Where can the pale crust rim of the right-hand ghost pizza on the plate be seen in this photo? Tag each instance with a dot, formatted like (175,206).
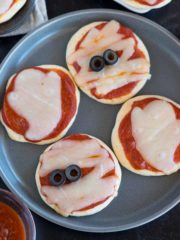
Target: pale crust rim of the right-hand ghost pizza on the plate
(116,143)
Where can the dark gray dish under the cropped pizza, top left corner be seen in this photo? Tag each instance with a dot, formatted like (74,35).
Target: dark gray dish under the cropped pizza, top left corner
(18,19)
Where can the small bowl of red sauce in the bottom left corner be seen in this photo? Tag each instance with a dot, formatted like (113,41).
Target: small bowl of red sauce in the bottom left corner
(16,221)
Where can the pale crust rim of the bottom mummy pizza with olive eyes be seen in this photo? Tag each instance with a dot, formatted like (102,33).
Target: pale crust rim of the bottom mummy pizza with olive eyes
(95,209)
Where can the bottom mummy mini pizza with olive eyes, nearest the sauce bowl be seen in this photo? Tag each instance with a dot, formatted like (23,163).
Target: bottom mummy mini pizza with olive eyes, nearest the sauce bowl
(78,175)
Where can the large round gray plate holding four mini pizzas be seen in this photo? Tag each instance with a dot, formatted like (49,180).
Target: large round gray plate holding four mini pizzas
(141,199)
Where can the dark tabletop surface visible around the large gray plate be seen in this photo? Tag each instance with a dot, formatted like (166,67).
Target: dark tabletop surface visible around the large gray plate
(166,227)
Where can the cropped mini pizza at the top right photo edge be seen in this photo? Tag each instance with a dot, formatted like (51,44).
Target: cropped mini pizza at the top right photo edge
(142,6)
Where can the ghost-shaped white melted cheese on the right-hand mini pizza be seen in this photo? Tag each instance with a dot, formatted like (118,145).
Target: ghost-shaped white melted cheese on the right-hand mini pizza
(157,134)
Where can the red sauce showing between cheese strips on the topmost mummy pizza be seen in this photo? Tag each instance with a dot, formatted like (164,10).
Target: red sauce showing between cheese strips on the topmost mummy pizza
(122,91)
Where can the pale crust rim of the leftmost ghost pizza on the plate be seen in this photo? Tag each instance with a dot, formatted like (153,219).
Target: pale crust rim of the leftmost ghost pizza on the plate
(20,138)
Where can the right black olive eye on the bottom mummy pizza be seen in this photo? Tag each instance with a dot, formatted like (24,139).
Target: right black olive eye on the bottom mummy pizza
(73,173)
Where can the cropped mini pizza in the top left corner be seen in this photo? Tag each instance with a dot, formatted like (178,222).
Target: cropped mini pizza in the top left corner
(8,8)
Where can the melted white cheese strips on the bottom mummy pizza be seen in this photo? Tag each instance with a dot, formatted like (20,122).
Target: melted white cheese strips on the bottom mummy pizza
(88,189)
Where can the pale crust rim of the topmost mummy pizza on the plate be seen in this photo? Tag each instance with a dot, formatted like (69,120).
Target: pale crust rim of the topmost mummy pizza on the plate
(71,48)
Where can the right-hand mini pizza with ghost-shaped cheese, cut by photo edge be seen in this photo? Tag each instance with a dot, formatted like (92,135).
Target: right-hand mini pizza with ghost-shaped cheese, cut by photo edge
(146,136)
